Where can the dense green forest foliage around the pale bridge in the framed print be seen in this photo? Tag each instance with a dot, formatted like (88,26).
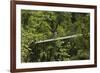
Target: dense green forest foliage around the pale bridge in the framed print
(43,25)
